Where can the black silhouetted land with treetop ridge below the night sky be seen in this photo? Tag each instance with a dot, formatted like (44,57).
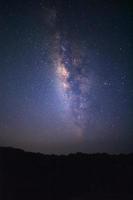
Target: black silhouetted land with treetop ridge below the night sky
(26,176)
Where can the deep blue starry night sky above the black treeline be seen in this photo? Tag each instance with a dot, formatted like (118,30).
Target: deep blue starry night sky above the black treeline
(66,76)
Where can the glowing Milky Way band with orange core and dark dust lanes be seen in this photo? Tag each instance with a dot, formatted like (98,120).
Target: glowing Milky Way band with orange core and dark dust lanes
(73,82)
